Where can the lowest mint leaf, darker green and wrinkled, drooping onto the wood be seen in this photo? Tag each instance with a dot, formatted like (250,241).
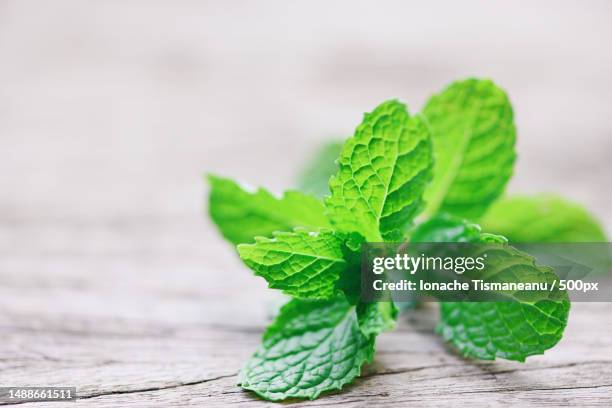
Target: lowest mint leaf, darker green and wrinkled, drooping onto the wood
(312,347)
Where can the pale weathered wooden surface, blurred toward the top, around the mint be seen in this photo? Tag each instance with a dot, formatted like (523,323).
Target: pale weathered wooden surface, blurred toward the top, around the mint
(111,278)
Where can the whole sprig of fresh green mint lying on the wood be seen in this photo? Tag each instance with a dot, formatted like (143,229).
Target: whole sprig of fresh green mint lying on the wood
(453,162)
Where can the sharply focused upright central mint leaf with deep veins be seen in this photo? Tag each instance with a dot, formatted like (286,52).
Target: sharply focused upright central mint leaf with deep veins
(383,170)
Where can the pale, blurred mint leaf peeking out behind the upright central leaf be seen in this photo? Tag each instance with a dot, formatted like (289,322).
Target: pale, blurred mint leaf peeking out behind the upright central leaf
(314,177)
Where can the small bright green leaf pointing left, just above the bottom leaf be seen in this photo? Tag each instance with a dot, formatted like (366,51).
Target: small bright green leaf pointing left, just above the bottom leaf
(302,263)
